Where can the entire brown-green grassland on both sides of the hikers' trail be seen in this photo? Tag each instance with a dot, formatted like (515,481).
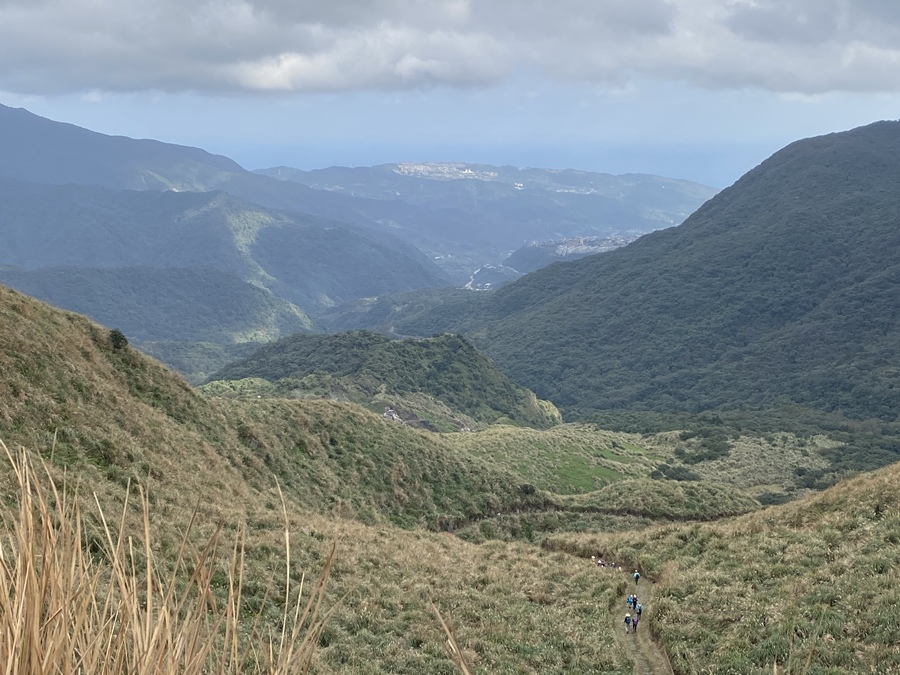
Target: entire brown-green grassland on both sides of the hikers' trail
(777,585)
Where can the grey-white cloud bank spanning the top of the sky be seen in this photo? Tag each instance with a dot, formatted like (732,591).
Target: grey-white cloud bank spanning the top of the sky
(228,46)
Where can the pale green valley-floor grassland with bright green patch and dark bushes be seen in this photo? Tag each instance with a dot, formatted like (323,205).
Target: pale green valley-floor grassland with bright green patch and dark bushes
(581,458)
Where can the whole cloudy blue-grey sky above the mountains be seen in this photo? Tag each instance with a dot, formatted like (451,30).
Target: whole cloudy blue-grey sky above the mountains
(696,89)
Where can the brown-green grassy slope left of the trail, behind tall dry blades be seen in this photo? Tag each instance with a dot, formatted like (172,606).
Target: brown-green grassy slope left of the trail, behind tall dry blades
(104,416)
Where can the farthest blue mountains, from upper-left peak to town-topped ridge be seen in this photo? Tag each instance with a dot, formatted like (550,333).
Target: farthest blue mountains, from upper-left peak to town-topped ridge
(430,212)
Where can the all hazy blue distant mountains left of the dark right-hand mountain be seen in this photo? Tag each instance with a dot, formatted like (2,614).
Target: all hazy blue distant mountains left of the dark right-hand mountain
(82,204)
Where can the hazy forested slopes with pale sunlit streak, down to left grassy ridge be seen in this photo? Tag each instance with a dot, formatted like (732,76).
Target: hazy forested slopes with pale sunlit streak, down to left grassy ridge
(183,267)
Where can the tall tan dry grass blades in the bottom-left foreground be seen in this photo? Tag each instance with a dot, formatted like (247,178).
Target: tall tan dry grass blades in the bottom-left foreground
(64,609)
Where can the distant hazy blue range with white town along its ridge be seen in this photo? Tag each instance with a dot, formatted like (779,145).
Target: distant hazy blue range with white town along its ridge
(475,214)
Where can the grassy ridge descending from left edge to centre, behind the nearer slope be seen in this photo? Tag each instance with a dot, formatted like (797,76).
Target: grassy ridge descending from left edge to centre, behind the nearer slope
(66,387)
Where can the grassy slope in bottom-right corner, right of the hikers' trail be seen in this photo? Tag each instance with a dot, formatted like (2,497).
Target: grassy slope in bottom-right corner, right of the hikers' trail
(810,584)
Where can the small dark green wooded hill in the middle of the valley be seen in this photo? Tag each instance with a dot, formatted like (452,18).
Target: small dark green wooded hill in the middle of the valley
(442,381)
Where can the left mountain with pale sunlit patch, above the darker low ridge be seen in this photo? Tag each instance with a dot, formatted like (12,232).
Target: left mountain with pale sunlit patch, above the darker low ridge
(304,259)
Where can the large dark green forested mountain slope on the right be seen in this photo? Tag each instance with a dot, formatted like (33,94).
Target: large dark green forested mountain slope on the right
(782,287)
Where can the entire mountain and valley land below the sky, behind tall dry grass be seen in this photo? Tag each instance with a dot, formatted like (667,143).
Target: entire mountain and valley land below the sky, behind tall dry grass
(712,404)
